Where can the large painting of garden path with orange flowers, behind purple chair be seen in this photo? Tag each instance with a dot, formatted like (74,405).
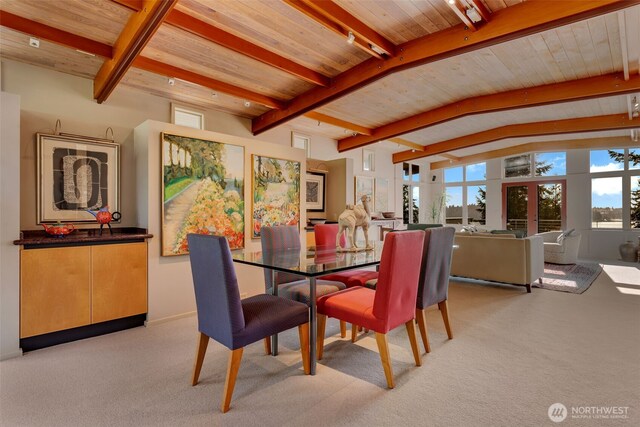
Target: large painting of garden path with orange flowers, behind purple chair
(202,191)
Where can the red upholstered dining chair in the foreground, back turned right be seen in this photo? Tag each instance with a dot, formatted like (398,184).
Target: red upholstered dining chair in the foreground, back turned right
(390,305)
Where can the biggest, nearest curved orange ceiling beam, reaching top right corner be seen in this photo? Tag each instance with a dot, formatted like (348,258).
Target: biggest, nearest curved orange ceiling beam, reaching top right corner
(513,22)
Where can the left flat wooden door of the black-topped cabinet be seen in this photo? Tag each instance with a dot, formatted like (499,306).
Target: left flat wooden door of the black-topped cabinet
(55,292)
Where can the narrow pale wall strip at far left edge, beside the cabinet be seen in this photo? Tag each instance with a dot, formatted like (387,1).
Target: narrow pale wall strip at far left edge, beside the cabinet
(9,225)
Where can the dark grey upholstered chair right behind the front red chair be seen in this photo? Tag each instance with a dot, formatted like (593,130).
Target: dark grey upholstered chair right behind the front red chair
(433,286)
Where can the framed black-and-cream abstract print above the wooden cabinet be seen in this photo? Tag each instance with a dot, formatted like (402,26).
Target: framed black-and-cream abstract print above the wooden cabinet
(76,174)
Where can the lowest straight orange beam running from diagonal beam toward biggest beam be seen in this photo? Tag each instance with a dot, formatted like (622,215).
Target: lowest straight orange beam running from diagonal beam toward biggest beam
(158,67)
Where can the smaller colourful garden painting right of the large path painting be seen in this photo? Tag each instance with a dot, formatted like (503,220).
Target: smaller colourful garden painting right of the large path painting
(276,192)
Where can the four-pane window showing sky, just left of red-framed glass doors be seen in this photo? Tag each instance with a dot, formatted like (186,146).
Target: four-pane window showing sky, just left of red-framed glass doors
(465,194)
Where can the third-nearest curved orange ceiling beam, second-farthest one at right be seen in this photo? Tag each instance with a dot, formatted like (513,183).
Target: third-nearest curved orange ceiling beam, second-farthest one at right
(553,127)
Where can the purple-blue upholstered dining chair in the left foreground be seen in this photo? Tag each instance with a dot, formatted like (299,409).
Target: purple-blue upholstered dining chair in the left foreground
(233,322)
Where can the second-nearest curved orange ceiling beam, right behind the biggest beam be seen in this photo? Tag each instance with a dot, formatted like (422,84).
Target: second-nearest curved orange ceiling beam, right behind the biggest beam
(592,87)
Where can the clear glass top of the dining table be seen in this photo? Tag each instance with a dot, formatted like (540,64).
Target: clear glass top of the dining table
(310,262)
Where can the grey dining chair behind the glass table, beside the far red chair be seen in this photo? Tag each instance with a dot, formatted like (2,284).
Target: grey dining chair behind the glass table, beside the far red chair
(274,240)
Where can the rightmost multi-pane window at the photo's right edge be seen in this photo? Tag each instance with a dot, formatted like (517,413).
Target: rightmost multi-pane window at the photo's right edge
(615,188)
